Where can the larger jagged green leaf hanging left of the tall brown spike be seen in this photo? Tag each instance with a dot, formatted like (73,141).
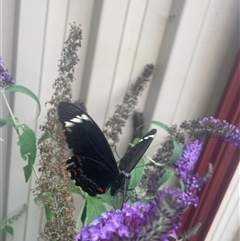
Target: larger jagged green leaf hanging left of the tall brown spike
(27,143)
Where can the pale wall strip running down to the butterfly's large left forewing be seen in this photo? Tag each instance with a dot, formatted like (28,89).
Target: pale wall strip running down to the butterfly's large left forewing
(106,51)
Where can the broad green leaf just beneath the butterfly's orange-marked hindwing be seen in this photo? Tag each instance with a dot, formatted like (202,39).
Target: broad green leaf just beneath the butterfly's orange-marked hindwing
(94,208)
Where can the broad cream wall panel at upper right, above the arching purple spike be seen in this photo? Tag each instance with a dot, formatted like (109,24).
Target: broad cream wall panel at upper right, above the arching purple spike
(192,74)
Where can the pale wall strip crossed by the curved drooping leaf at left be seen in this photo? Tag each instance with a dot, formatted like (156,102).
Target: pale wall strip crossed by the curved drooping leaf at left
(30,29)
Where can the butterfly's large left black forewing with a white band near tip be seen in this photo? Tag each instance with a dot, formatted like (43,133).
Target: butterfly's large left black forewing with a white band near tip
(84,136)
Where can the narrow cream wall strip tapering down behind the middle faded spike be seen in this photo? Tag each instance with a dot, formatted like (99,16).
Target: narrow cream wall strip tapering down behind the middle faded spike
(128,47)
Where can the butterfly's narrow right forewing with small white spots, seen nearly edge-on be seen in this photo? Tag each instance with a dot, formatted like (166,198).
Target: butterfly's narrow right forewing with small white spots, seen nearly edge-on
(132,157)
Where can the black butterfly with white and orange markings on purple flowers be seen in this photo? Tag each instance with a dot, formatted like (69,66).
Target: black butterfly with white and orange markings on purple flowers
(93,166)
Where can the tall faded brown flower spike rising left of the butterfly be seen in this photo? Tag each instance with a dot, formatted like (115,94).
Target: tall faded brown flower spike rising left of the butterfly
(53,184)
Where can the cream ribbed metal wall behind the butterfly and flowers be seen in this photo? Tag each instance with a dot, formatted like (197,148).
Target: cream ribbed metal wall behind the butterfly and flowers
(193,45)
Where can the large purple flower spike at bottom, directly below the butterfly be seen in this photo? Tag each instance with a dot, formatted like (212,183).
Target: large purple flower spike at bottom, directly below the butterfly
(153,221)
